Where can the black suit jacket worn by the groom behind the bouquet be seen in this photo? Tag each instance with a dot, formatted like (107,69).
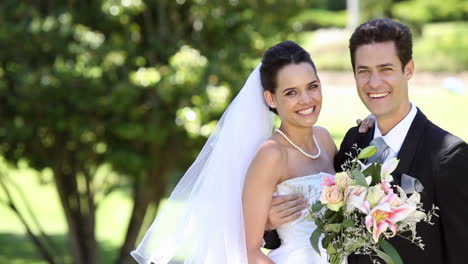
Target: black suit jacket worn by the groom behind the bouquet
(440,161)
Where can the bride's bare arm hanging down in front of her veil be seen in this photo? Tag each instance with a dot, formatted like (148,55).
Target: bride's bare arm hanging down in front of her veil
(262,177)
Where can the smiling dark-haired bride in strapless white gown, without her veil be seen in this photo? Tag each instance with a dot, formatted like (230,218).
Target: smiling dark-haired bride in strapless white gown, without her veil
(293,160)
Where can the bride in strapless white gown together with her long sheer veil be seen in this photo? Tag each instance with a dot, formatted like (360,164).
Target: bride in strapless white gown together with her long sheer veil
(218,211)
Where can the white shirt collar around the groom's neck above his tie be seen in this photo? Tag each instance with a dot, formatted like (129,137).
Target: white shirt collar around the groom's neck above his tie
(395,137)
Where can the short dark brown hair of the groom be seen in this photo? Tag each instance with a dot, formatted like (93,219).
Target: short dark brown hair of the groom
(383,30)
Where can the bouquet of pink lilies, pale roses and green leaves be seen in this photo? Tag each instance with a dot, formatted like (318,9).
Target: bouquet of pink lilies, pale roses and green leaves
(359,210)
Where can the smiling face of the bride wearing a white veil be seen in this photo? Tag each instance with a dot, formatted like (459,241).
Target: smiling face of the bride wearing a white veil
(298,95)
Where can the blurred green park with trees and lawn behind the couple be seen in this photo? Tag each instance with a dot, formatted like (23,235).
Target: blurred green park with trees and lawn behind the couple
(105,103)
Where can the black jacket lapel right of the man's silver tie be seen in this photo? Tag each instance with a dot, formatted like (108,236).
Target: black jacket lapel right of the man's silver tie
(408,149)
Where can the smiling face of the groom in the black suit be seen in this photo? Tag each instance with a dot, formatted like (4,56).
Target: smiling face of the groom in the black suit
(381,82)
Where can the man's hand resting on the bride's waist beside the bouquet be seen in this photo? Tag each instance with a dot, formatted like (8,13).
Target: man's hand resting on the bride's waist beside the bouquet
(284,209)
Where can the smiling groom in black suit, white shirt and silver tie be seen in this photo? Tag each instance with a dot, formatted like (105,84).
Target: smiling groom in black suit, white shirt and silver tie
(381,56)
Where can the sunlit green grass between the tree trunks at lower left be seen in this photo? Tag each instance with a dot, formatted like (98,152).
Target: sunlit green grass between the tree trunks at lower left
(112,218)
